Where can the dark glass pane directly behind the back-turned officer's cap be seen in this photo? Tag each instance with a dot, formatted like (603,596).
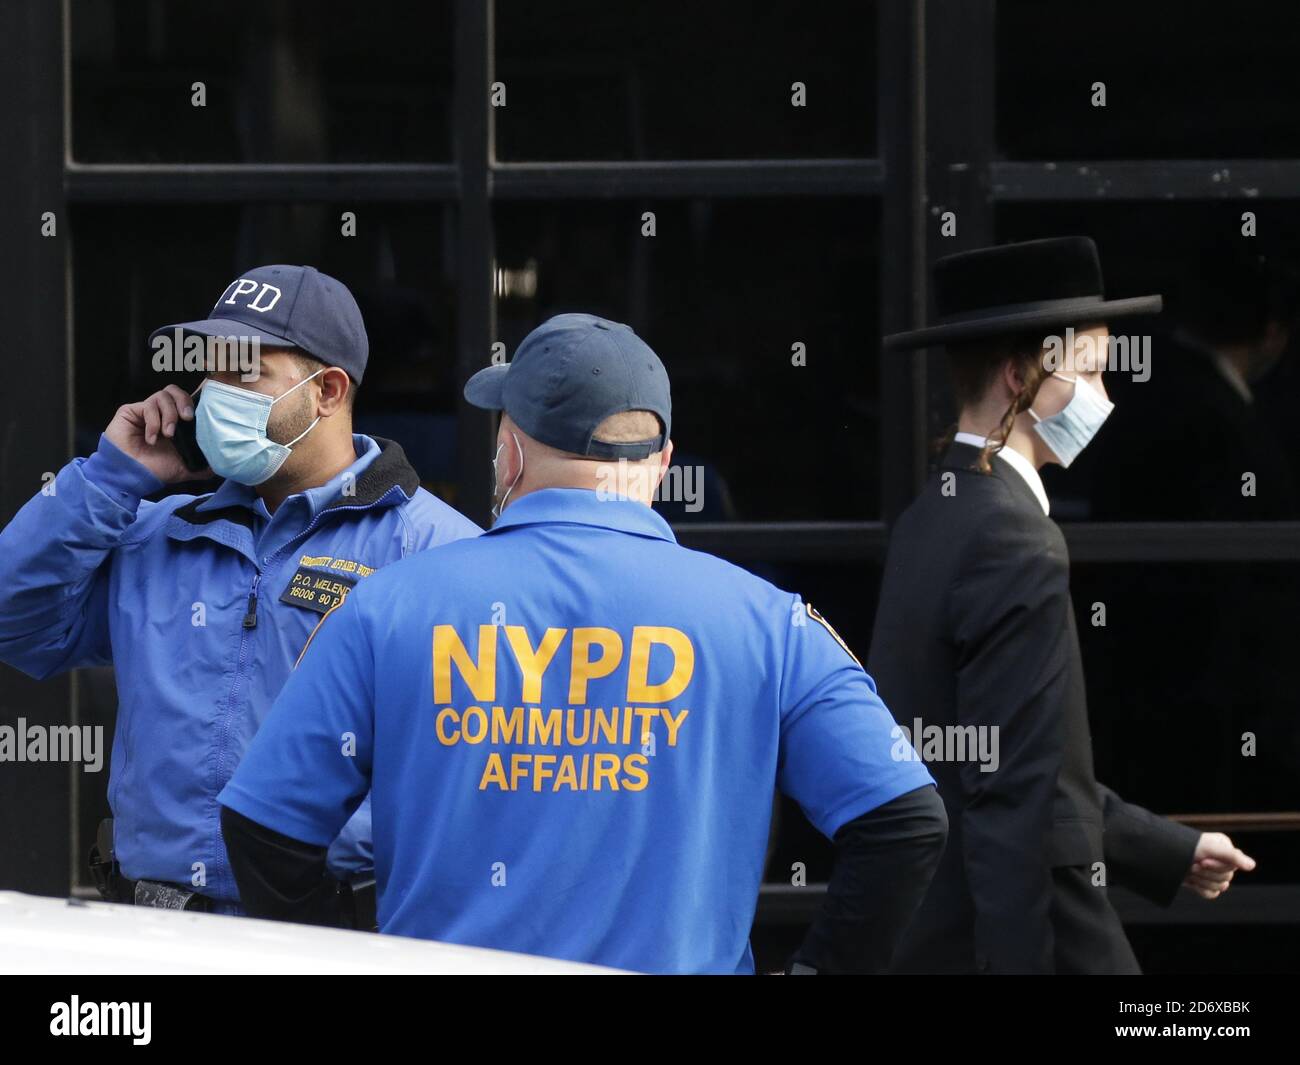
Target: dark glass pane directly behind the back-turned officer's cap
(765,314)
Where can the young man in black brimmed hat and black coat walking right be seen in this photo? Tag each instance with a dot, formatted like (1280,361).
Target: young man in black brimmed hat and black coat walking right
(976,631)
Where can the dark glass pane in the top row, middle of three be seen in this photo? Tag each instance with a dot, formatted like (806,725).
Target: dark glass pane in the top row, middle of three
(587,80)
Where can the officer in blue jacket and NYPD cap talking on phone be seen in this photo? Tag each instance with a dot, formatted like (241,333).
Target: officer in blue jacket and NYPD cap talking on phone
(203,604)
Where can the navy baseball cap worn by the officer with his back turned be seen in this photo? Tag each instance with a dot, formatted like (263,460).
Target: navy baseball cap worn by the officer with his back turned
(571,374)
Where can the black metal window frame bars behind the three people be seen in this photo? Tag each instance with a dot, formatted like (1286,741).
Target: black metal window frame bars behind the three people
(937,149)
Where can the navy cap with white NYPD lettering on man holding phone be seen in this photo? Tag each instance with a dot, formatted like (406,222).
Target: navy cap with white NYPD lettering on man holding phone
(289,308)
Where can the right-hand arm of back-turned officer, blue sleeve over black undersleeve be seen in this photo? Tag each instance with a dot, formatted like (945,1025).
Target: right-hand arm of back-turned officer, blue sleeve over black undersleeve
(846,763)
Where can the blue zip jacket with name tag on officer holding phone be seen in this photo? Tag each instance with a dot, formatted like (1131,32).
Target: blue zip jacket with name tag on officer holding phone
(203,605)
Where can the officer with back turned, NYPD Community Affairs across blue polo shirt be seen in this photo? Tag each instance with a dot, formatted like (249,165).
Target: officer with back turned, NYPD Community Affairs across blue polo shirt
(573,726)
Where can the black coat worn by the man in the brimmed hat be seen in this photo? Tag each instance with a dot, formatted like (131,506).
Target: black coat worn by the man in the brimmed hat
(976,627)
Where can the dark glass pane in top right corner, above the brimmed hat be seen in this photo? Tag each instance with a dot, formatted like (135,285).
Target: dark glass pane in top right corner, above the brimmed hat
(1182,80)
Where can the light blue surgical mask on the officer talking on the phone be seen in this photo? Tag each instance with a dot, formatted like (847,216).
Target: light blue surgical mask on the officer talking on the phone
(231,426)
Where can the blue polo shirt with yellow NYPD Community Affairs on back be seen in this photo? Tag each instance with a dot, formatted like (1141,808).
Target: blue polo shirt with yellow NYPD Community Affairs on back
(571,728)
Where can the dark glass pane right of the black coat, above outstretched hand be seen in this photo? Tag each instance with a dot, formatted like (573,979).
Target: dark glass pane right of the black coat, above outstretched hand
(1191,687)
